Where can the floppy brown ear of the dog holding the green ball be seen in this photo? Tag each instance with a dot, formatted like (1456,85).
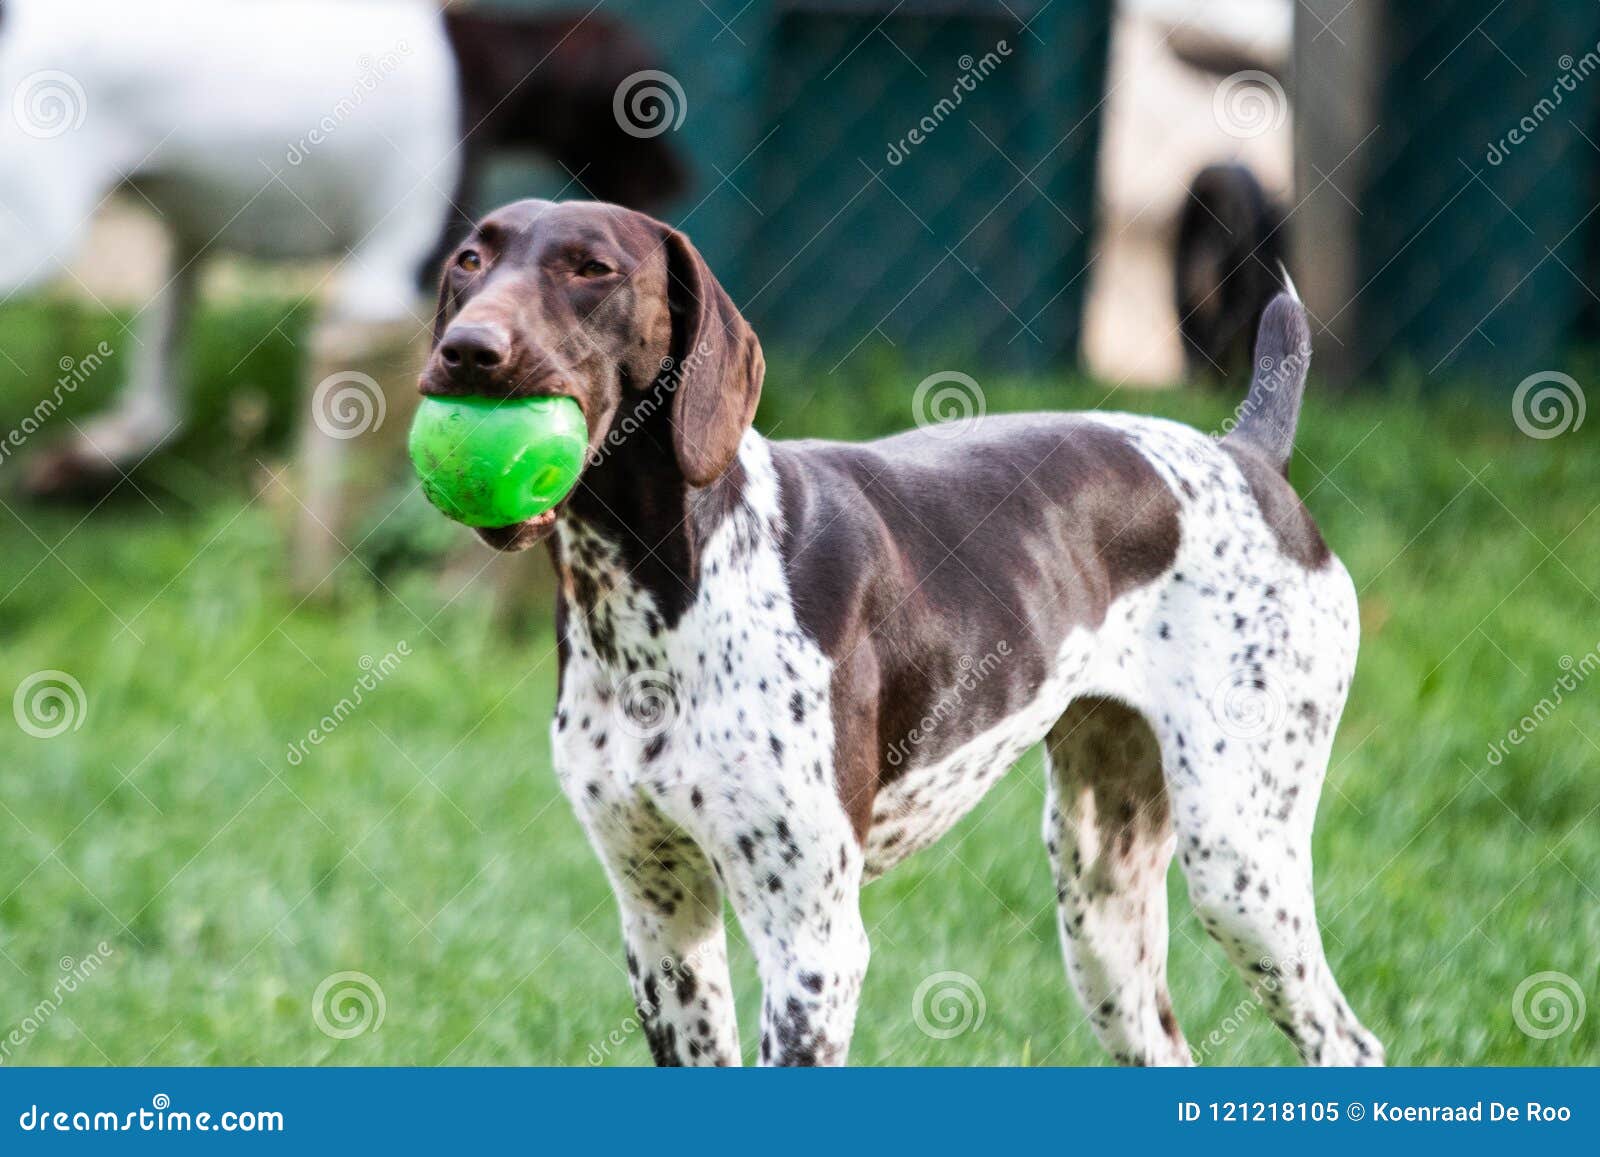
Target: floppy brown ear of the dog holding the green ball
(718,367)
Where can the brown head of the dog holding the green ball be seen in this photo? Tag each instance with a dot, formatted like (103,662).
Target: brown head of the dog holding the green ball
(612,310)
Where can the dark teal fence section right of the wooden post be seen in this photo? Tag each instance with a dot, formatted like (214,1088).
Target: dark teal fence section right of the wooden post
(1476,188)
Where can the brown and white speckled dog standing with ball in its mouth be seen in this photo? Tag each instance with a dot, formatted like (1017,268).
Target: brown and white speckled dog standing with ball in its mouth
(770,678)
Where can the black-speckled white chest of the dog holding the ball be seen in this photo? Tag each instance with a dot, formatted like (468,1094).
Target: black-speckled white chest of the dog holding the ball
(721,708)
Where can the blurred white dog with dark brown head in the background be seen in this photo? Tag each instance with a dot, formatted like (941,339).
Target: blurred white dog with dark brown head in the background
(287,129)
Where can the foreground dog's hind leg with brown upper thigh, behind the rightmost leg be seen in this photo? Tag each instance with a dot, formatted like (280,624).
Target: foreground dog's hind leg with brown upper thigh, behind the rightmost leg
(1111,841)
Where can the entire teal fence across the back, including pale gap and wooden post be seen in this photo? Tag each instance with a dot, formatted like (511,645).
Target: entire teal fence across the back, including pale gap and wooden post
(932,174)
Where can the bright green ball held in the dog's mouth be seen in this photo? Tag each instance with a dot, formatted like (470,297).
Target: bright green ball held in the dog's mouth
(498,462)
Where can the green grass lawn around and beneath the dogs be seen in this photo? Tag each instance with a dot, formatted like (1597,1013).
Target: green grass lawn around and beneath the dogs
(426,846)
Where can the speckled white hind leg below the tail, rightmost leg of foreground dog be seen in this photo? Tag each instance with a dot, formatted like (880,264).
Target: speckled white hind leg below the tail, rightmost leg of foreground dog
(1247,748)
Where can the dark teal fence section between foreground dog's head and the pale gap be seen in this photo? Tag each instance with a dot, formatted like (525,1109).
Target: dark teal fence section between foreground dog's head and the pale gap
(878,174)
